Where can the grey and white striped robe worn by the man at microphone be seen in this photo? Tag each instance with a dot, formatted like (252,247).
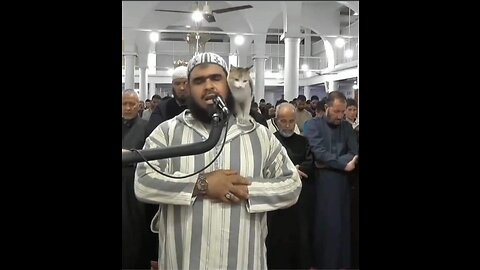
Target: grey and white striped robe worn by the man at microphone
(198,233)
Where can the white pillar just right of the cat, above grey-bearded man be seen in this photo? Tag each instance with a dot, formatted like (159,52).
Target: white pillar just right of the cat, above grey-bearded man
(292,61)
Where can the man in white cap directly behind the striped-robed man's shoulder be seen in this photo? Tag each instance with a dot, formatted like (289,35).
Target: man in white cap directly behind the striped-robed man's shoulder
(171,107)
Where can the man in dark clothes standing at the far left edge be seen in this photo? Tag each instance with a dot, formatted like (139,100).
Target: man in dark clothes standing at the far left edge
(138,242)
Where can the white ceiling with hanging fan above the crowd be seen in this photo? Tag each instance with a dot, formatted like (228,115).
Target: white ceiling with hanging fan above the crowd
(323,17)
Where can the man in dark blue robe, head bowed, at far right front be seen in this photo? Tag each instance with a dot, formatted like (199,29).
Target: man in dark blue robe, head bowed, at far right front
(335,149)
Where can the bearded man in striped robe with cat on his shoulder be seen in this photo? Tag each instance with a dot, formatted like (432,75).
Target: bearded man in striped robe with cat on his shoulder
(215,219)
